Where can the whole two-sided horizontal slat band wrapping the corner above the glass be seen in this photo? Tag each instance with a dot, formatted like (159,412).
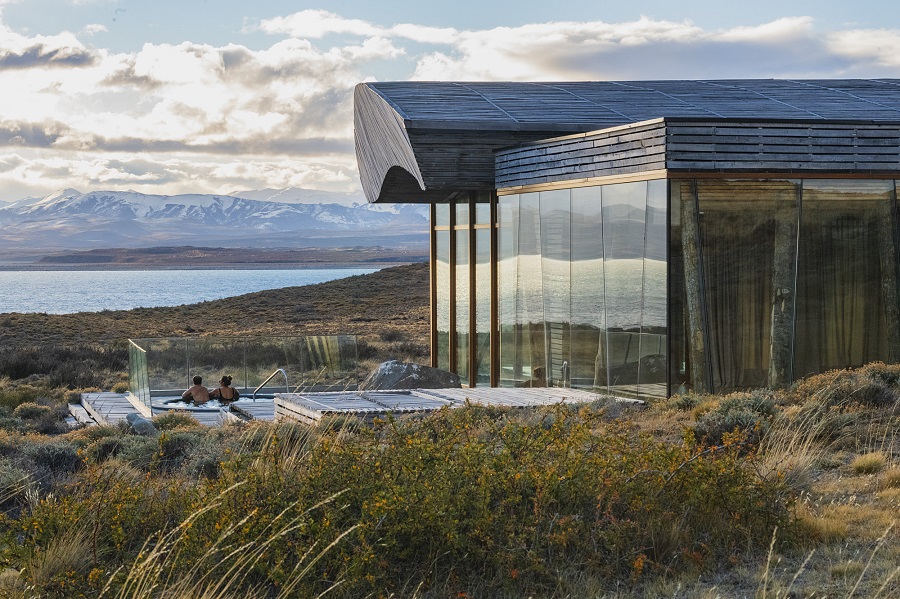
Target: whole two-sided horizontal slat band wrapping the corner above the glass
(720,146)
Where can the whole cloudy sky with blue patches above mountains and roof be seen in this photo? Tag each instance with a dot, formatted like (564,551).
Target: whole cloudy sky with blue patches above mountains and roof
(213,96)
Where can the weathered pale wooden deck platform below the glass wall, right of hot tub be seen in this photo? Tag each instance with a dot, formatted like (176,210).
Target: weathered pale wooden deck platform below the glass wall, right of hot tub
(312,407)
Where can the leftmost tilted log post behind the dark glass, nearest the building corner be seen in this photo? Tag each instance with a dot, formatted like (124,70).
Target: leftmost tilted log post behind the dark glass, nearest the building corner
(693,285)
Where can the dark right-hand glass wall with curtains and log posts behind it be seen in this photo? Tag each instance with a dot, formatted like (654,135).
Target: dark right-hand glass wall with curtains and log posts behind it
(774,280)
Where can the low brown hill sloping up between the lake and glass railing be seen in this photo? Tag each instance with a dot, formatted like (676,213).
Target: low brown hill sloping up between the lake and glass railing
(393,299)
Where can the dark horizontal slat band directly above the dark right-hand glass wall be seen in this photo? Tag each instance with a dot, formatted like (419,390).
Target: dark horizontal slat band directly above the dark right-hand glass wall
(782,147)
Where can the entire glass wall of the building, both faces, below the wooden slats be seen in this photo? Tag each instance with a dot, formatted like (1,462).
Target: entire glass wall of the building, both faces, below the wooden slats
(655,287)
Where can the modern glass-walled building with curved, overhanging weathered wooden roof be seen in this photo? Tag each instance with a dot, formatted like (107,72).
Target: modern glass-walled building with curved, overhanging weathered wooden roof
(648,237)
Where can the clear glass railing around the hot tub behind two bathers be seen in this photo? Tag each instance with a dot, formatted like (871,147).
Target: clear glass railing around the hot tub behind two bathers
(166,366)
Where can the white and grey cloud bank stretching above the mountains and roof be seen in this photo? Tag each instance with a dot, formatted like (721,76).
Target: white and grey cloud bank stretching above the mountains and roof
(174,118)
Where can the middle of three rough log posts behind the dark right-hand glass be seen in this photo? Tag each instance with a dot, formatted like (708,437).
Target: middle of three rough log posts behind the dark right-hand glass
(783,292)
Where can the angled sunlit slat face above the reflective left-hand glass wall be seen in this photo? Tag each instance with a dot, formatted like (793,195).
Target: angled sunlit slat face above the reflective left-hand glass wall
(623,150)
